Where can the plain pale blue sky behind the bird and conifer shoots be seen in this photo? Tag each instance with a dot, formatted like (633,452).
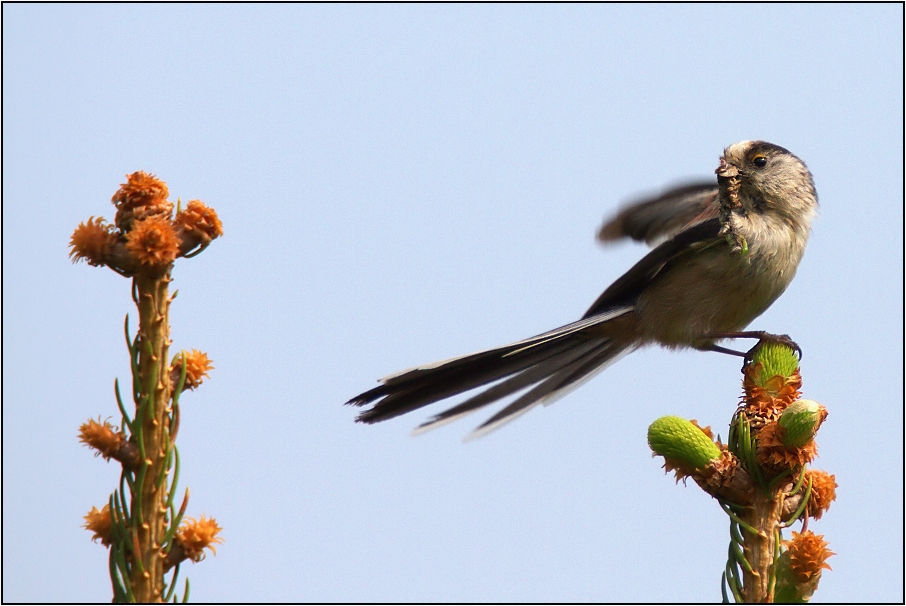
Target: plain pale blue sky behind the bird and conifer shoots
(400,184)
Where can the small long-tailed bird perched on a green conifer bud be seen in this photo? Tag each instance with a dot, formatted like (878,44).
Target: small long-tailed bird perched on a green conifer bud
(722,254)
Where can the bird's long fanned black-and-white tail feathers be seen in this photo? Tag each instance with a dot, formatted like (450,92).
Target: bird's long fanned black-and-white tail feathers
(548,365)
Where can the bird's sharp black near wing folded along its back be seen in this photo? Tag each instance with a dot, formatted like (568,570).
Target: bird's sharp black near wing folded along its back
(626,289)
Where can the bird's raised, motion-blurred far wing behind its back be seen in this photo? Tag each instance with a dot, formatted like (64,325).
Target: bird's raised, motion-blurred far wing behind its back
(653,220)
